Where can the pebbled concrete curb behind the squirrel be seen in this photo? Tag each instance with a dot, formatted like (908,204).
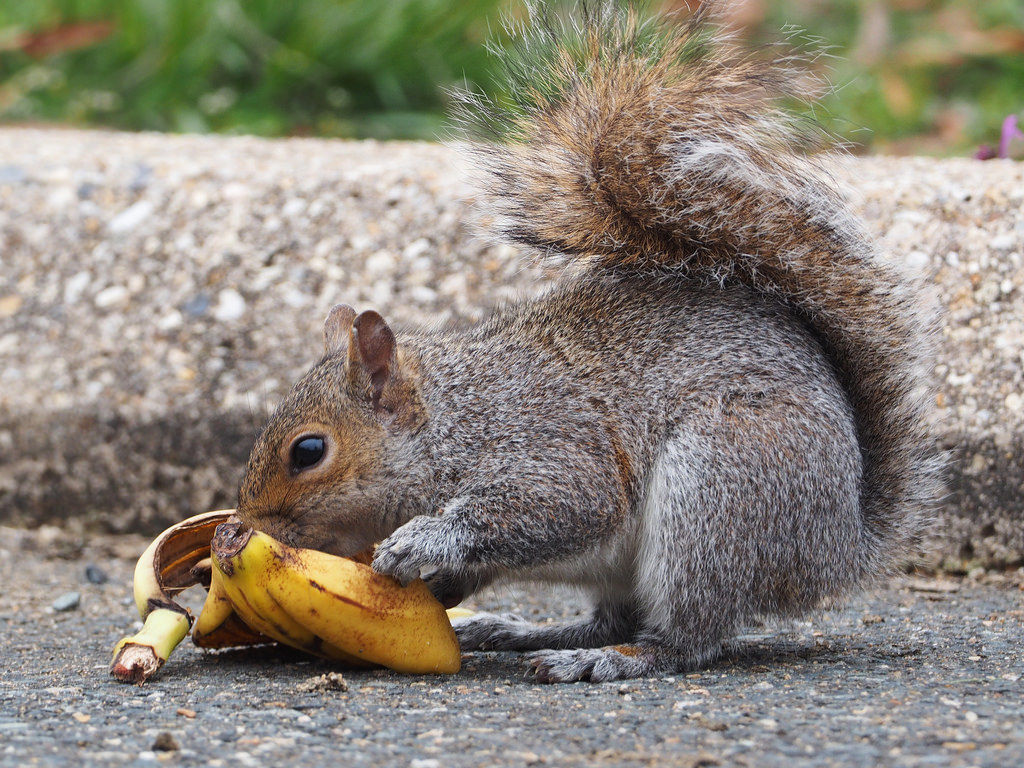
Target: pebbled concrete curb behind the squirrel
(158,294)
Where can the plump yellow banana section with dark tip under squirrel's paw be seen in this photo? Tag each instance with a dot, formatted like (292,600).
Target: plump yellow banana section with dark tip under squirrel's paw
(332,607)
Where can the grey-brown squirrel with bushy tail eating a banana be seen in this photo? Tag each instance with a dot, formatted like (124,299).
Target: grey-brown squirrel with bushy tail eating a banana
(716,415)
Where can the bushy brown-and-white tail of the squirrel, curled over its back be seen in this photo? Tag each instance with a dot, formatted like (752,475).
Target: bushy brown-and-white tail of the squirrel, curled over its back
(626,144)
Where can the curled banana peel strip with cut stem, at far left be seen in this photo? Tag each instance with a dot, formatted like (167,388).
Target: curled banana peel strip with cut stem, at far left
(164,570)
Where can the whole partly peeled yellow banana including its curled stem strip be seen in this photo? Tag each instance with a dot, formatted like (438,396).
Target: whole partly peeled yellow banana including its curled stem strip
(262,591)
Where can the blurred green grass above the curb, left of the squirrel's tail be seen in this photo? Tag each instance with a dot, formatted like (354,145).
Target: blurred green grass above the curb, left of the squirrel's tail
(336,68)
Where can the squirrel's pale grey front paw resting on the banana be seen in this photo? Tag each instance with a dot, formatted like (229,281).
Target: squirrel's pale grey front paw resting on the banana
(421,547)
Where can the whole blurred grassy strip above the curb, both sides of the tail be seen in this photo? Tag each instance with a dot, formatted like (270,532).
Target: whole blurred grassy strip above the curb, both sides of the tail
(912,76)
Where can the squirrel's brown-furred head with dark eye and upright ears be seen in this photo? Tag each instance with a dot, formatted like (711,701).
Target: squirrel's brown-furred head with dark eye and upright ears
(319,476)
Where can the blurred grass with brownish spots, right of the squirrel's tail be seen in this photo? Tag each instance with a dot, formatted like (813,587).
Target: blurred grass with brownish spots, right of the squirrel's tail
(913,76)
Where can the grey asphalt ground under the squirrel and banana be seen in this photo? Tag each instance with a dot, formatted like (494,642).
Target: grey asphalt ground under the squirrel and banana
(920,672)
